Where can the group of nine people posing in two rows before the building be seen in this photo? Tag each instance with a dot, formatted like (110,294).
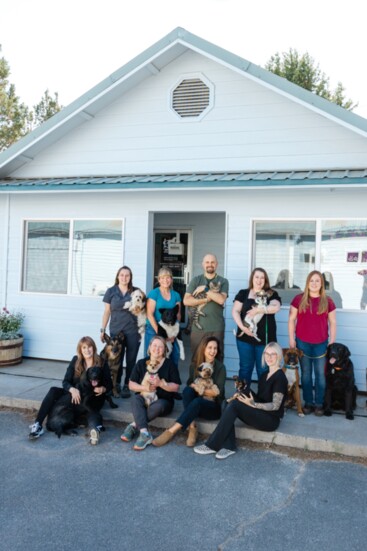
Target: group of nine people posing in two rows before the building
(312,326)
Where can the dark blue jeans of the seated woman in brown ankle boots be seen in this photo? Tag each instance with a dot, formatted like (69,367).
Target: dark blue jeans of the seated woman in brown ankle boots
(196,406)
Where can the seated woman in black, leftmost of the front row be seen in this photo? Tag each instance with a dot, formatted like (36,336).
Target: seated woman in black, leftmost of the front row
(86,357)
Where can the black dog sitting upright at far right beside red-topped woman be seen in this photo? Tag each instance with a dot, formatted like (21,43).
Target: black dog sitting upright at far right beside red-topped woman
(341,391)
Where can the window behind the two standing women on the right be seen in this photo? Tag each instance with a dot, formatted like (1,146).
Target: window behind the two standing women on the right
(289,250)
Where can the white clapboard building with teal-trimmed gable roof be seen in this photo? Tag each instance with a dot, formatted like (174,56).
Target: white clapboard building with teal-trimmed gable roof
(186,149)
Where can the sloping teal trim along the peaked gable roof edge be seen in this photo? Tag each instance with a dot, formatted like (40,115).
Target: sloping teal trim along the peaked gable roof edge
(189,40)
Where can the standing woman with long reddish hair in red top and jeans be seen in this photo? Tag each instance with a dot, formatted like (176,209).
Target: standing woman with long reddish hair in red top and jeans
(312,316)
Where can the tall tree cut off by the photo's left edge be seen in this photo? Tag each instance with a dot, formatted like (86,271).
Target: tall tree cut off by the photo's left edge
(14,115)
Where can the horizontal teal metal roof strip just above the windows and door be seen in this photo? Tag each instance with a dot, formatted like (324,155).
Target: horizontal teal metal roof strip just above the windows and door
(329,178)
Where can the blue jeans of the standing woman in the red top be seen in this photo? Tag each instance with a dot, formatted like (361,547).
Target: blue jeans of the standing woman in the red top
(313,363)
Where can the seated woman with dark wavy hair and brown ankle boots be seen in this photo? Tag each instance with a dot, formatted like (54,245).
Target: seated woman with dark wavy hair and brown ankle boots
(209,404)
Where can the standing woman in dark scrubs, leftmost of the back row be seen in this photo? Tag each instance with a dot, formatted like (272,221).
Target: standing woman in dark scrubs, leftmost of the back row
(121,319)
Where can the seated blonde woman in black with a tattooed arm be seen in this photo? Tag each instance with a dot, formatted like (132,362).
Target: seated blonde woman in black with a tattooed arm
(262,411)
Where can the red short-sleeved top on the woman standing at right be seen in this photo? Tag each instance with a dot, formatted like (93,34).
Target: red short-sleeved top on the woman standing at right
(312,327)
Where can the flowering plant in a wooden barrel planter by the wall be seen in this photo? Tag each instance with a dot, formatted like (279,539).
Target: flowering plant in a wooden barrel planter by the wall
(11,340)
